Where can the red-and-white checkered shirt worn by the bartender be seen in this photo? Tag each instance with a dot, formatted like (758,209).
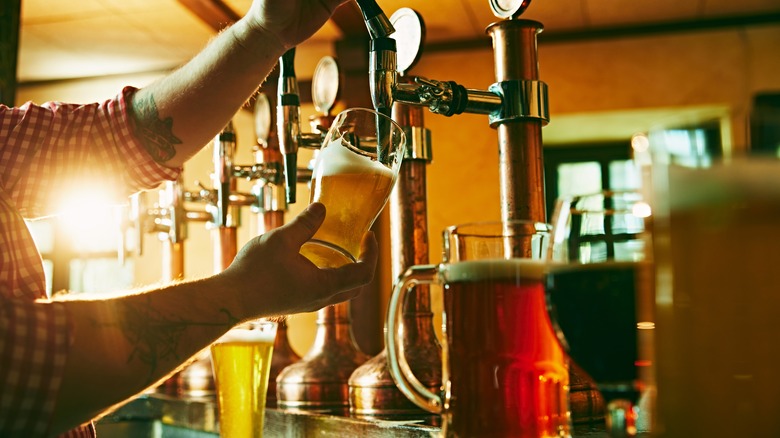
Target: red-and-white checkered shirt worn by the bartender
(44,150)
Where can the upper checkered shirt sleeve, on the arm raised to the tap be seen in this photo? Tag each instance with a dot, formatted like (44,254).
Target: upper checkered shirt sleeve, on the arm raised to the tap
(48,150)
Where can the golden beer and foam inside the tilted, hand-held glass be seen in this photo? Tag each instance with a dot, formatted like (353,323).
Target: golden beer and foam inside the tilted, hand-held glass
(354,188)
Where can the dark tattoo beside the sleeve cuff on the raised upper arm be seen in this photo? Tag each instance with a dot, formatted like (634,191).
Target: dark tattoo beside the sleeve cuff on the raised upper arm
(154,133)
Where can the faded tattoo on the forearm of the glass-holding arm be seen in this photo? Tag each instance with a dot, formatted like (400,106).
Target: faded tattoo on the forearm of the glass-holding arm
(155,337)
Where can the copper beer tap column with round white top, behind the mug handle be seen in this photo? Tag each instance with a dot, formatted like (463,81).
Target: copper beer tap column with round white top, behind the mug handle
(372,391)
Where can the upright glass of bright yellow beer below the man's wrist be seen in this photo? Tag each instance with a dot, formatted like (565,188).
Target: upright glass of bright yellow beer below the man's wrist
(242,364)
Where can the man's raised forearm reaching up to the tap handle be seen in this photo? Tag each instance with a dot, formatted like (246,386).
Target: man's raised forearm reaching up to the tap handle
(179,114)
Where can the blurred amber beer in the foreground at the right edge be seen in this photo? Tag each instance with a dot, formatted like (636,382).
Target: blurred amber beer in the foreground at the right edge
(717,301)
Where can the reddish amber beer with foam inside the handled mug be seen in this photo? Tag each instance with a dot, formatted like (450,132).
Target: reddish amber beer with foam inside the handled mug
(508,373)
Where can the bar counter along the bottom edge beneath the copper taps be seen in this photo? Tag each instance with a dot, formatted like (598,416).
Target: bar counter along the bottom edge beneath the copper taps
(164,416)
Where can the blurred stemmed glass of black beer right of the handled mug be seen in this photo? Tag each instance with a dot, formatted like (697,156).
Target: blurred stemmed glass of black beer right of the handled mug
(600,301)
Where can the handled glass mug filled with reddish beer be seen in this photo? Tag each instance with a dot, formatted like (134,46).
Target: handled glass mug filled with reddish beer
(504,373)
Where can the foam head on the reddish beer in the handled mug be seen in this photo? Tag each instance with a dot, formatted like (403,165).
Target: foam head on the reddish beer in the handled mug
(475,270)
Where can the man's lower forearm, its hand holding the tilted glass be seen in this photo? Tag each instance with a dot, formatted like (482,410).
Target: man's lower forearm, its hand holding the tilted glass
(124,345)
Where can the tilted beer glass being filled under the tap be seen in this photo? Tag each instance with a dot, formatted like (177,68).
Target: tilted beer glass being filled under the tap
(354,173)
